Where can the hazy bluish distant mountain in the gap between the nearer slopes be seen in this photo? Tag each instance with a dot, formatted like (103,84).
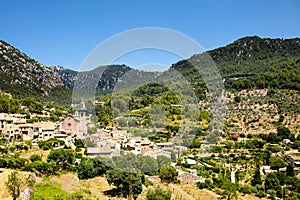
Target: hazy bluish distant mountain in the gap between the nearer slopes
(103,80)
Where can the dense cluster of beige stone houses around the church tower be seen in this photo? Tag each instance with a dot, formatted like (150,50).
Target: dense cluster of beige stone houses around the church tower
(105,142)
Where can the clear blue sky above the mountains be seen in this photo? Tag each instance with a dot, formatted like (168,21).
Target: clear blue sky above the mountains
(63,32)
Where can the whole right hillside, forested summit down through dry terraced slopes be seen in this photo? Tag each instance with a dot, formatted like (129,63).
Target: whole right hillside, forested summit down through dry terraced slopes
(261,78)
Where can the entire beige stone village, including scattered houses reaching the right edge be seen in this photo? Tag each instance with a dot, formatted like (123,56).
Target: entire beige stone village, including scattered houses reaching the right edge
(113,142)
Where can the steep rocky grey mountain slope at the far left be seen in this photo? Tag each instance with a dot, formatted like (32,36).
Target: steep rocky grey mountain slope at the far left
(23,76)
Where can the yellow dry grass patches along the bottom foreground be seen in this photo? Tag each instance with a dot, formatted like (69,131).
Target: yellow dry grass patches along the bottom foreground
(95,188)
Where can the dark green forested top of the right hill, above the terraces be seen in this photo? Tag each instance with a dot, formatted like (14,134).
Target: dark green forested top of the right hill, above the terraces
(252,62)
